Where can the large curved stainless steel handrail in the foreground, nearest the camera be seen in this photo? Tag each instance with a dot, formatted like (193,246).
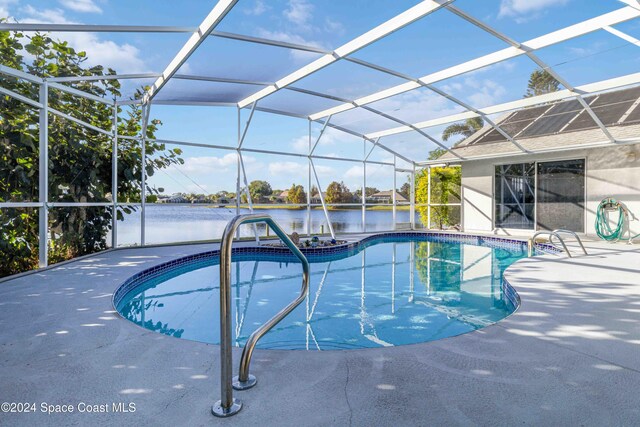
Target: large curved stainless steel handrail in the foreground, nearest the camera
(227,405)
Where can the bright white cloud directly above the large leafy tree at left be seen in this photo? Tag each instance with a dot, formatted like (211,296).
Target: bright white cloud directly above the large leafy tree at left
(124,58)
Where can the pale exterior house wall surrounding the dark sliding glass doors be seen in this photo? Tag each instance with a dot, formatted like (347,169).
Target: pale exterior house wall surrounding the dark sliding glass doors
(610,172)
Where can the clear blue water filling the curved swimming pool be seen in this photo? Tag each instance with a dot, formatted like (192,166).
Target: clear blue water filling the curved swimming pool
(392,291)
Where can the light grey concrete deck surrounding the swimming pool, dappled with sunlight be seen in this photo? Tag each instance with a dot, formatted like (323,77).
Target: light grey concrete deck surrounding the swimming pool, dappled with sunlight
(569,355)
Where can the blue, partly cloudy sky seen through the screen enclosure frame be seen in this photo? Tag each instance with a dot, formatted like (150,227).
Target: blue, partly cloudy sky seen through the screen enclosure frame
(432,43)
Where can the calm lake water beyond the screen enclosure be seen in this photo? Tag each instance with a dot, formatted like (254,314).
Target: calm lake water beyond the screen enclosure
(179,223)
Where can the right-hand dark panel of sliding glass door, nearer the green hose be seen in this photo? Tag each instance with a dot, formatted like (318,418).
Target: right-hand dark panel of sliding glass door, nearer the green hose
(560,195)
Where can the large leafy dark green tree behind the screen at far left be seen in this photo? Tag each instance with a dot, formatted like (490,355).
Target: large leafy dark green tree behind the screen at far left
(80,159)
